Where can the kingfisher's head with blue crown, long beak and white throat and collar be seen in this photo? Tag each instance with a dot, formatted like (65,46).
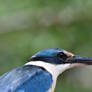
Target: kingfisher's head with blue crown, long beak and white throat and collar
(57,60)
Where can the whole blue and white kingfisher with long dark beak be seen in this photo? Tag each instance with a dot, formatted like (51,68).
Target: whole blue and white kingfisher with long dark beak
(40,72)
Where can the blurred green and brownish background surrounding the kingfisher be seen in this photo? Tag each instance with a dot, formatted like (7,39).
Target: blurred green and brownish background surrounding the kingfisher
(27,26)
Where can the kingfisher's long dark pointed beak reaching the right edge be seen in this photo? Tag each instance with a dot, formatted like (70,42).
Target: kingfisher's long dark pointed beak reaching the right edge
(79,59)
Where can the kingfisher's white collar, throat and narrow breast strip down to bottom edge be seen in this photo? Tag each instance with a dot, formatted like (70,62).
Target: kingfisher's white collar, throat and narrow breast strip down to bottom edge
(55,70)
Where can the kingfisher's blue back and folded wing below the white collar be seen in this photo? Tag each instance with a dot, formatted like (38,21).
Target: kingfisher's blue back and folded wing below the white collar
(26,79)
